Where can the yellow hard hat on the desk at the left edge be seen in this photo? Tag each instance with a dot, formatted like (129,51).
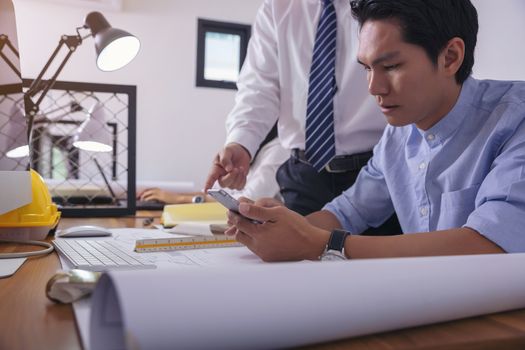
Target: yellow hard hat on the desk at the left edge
(36,218)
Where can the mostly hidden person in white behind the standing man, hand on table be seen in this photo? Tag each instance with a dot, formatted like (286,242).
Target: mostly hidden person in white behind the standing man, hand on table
(260,181)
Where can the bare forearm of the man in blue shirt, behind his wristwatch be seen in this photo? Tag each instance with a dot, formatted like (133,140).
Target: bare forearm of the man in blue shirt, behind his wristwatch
(459,241)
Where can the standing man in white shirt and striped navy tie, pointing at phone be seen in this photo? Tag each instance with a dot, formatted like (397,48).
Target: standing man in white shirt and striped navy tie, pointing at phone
(301,70)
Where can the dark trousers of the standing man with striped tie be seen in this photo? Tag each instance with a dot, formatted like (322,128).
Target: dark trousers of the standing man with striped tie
(305,191)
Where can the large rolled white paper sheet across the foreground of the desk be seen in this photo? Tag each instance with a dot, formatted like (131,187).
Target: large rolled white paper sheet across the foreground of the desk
(283,305)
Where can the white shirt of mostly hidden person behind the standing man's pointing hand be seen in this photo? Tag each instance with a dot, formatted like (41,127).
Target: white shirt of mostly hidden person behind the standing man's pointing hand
(261,181)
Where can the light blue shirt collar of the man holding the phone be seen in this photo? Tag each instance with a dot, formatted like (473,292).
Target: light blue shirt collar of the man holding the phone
(443,129)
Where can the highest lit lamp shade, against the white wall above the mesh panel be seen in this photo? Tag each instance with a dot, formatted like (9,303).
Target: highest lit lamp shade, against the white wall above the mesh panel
(115,47)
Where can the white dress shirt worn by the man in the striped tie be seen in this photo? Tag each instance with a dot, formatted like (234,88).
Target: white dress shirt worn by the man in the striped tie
(273,83)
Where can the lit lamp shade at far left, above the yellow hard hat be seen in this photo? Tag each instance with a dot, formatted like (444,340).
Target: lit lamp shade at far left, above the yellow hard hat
(16,134)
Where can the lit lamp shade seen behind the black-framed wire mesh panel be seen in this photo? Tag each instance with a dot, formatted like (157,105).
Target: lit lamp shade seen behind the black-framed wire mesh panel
(94,134)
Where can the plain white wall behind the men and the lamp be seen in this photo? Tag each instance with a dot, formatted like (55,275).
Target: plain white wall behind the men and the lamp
(180,127)
